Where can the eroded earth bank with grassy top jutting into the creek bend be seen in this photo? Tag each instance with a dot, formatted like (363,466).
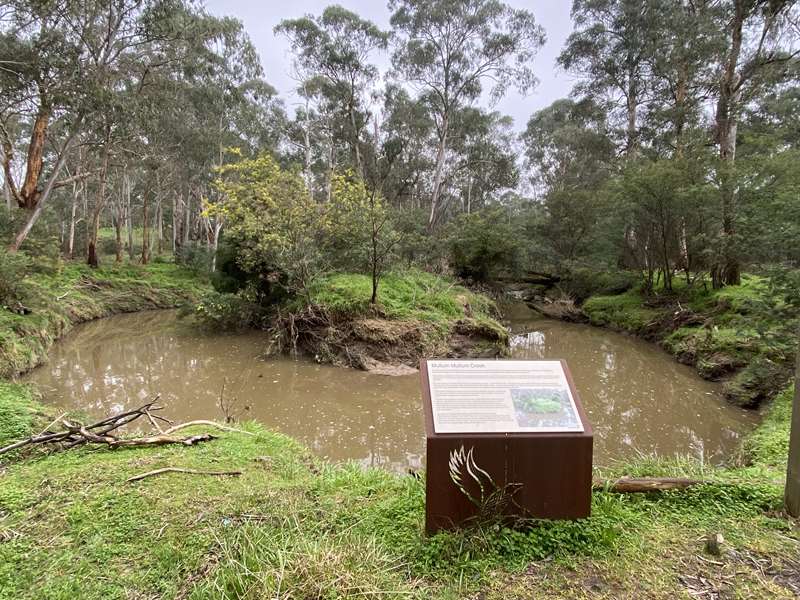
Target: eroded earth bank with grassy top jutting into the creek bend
(418,315)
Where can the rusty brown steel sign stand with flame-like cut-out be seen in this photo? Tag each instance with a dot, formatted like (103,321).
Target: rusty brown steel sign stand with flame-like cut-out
(545,475)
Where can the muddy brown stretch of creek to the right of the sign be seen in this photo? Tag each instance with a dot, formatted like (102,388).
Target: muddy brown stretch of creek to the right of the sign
(638,399)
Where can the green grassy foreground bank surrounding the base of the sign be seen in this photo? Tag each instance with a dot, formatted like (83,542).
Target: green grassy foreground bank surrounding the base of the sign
(293,527)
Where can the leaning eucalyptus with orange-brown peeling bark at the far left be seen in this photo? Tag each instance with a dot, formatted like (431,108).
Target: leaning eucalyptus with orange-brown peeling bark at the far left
(77,54)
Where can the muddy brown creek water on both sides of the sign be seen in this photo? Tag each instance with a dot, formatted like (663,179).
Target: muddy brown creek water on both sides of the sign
(638,399)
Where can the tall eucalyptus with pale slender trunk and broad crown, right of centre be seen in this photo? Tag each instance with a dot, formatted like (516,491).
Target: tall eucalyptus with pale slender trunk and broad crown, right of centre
(448,50)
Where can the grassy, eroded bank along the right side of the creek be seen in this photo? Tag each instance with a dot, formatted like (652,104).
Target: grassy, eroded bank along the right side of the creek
(728,334)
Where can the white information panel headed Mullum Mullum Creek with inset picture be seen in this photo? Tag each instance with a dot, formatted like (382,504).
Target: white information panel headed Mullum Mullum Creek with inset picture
(501,396)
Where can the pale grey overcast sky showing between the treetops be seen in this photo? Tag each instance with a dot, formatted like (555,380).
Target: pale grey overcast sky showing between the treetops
(261,16)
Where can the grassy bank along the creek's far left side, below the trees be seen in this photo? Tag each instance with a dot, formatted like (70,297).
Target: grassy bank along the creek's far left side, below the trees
(55,298)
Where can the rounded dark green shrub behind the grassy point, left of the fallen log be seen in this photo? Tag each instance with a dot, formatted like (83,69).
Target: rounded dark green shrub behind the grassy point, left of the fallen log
(485,243)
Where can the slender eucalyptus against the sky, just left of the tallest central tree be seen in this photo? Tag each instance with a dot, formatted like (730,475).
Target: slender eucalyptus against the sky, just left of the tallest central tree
(336,48)
